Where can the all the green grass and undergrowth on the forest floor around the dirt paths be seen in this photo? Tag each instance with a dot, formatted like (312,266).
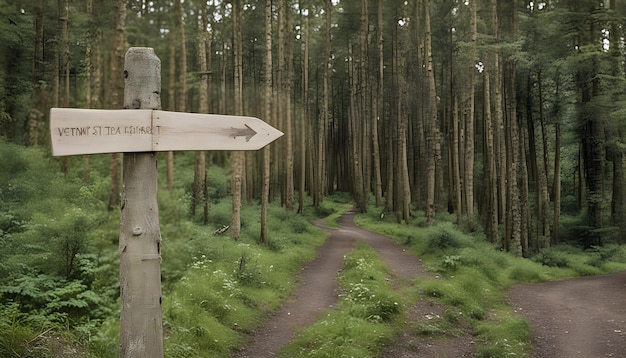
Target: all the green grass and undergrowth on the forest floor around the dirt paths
(215,289)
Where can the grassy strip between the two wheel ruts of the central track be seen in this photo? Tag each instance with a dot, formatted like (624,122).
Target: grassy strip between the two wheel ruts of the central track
(361,323)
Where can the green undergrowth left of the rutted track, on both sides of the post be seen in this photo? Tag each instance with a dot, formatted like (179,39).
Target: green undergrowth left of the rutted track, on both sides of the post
(59,266)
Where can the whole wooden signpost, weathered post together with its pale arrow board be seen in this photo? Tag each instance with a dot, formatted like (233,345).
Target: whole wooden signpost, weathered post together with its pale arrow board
(138,131)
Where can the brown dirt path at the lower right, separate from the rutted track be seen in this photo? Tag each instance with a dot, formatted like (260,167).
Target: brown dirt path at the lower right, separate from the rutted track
(585,317)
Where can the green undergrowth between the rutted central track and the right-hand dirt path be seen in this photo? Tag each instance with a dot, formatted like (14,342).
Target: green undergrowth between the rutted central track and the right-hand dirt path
(472,277)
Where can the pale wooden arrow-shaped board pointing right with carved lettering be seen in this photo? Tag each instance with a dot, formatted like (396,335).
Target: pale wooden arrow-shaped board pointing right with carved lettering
(91,131)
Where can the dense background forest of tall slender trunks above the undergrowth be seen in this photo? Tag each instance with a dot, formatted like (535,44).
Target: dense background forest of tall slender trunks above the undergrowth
(507,114)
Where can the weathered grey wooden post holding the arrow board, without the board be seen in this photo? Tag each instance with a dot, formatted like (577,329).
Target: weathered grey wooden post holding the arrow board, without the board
(141,321)
